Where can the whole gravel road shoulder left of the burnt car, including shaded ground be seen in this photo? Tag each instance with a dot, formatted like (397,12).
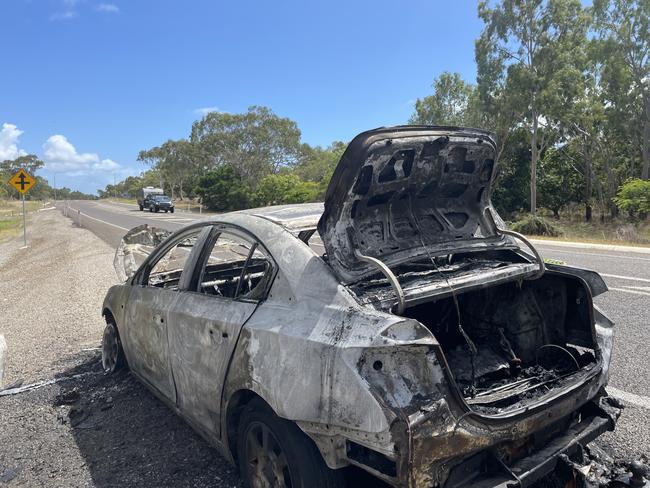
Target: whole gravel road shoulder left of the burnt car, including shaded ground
(91,430)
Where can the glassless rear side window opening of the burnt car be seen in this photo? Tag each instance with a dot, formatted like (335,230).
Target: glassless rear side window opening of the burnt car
(236,268)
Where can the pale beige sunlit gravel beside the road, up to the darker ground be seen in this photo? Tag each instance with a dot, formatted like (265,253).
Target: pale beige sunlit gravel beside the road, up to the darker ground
(51,295)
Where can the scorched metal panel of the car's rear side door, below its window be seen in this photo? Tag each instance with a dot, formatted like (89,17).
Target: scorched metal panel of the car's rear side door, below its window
(203,331)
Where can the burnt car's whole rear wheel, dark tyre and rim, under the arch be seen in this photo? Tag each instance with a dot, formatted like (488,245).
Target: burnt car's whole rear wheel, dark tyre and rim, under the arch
(274,452)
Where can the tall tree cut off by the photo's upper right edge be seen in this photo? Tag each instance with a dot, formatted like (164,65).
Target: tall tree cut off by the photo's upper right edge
(624,28)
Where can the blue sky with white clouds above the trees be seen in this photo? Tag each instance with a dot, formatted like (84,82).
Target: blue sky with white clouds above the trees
(86,84)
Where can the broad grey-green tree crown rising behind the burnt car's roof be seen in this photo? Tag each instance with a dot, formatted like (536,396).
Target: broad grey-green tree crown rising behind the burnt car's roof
(254,144)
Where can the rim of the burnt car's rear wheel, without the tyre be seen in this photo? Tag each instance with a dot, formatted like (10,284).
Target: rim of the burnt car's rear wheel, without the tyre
(265,458)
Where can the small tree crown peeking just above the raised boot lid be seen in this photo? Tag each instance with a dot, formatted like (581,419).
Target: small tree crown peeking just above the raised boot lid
(453,103)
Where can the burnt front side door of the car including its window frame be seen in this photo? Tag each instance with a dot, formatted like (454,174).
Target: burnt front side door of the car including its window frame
(164,385)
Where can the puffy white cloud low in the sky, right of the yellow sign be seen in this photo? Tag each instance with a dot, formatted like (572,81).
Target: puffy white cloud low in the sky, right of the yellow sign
(60,155)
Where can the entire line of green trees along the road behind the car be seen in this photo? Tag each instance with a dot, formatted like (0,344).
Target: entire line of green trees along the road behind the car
(565,88)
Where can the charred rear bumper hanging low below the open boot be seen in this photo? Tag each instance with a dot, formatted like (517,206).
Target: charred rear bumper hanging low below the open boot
(488,469)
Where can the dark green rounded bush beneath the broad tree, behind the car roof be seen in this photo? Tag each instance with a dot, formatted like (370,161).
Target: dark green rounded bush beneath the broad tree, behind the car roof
(223,189)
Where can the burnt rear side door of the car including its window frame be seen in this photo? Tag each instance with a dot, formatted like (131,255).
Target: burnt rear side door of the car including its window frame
(208,330)
